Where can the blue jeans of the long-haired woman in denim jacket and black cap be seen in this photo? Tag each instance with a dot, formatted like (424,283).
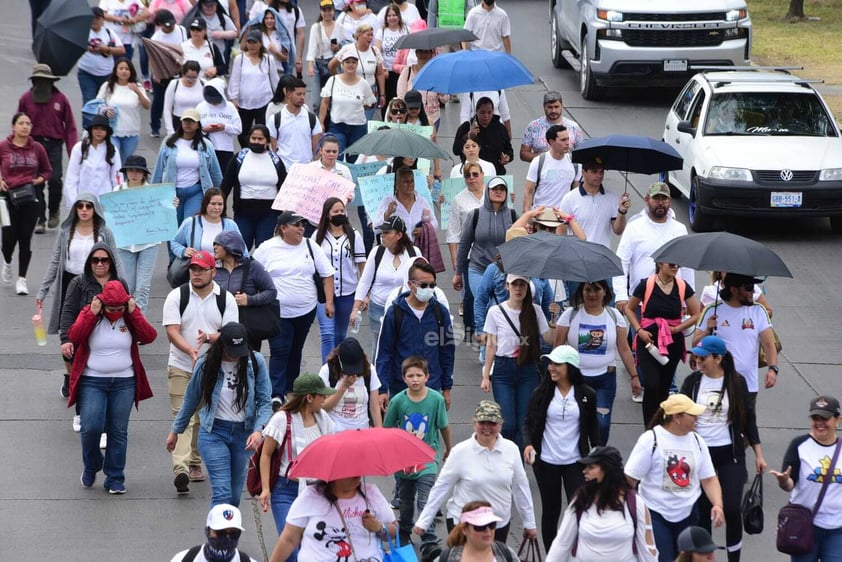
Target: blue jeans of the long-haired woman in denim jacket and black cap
(225,456)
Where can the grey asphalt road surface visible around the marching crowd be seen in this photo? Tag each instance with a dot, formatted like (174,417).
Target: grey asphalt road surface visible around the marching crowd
(49,516)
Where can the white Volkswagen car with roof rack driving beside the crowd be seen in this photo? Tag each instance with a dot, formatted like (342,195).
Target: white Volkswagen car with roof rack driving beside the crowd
(755,143)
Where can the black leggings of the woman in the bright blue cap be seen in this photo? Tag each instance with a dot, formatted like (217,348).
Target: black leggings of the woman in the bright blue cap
(732,478)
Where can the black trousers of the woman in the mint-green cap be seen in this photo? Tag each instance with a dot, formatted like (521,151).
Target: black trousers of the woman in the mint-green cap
(550,478)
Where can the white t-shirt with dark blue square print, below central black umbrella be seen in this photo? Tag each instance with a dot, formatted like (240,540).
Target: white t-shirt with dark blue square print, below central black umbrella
(595,337)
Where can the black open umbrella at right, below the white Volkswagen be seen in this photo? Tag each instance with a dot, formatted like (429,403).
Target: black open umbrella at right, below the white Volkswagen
(722,251)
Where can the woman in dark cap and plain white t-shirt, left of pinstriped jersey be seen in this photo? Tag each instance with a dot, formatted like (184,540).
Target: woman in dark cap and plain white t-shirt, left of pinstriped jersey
(295,265)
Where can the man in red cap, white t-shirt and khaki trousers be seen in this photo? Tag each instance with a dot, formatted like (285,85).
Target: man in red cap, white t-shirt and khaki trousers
(191,328)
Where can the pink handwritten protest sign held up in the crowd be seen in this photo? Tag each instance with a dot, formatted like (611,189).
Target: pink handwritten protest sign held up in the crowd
(306,188)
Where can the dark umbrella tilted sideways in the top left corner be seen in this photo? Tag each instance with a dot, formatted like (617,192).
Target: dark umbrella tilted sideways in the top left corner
(61,34)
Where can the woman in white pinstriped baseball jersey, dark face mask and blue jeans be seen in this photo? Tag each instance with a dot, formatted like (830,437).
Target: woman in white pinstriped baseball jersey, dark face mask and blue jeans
(343,245)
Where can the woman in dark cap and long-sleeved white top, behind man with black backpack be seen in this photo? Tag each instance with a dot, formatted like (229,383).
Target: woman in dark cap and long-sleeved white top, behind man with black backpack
(254,77)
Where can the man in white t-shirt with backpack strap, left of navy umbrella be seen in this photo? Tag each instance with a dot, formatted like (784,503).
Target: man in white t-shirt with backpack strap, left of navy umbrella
(550,177)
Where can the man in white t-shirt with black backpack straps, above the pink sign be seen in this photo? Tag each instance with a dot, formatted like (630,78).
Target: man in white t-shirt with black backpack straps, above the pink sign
(299,133)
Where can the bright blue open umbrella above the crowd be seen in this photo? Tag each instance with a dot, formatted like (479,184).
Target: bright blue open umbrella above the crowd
(471,71)
